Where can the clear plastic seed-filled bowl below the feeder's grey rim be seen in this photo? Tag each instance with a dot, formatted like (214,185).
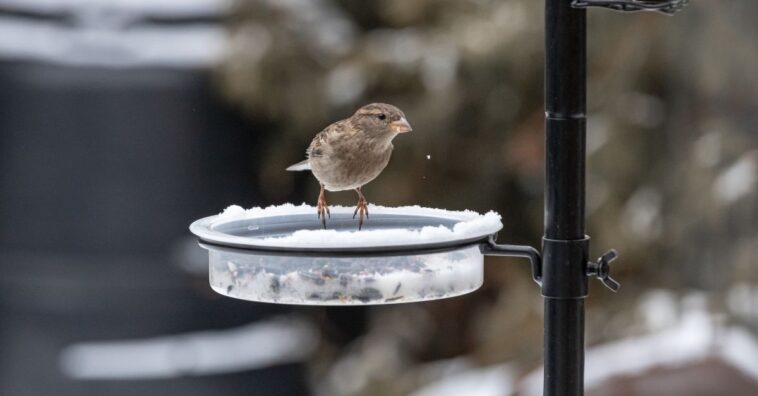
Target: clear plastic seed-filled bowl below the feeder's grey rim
(340,280)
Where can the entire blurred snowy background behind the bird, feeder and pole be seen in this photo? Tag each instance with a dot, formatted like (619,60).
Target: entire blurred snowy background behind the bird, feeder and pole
(123,121)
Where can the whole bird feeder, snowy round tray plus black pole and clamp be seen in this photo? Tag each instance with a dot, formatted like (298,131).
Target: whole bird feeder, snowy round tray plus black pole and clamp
(266,257)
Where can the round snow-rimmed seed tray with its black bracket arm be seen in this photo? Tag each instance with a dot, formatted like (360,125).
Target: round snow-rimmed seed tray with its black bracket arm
(281,255)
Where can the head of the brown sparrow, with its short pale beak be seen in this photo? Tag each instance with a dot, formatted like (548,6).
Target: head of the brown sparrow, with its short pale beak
(381,120)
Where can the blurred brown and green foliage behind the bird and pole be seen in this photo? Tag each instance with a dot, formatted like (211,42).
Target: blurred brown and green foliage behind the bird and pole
(672,151)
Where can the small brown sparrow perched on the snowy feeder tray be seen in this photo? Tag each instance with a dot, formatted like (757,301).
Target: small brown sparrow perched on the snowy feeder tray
(350,153)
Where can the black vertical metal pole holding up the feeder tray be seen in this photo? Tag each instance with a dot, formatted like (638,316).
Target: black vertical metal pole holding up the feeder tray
(564,281)
